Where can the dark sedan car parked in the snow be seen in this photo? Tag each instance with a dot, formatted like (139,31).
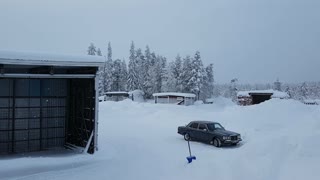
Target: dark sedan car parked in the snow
(211,132)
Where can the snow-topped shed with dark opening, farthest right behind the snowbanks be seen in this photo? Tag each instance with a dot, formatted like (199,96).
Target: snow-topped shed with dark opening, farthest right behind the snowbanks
(259,96)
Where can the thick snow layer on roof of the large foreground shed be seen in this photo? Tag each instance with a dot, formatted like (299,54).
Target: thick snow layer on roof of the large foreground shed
(40,58)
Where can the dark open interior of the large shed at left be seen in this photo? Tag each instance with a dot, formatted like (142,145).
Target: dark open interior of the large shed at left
(42,114)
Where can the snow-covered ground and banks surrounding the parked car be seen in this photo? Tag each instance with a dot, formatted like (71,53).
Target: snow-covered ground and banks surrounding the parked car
(139,141)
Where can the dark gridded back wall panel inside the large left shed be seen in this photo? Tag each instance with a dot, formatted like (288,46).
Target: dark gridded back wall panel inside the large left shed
(32,114)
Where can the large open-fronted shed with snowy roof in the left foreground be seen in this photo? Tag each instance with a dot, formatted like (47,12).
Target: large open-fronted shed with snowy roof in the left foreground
(48,101)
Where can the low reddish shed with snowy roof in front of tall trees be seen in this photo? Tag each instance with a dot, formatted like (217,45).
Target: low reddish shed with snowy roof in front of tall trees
(174,98)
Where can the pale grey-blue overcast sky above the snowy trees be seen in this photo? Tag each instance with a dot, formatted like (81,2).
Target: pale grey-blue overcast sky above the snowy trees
(252,40)
